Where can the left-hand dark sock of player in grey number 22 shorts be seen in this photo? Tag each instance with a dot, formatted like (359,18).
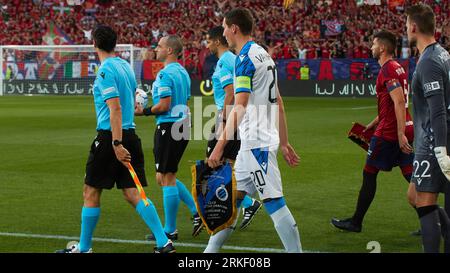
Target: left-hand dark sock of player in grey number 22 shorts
(430,225)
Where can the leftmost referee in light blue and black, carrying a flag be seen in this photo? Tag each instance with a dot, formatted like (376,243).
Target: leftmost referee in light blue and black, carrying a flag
(115,146)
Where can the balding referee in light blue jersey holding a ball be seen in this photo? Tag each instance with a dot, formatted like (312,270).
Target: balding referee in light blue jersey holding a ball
(170,93)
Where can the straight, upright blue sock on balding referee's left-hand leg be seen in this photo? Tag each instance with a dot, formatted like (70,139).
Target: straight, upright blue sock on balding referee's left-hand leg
(171,202)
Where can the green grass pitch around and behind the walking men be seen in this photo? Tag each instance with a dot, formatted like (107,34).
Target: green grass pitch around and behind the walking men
(45,141)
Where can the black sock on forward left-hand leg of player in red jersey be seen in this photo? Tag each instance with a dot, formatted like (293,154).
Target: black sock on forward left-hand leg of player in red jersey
(366,195)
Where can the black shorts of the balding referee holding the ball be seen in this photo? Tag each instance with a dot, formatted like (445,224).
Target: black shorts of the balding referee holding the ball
(170,141)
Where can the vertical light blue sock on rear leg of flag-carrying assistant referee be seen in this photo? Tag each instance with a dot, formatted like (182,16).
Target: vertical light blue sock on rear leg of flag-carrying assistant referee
(89,219)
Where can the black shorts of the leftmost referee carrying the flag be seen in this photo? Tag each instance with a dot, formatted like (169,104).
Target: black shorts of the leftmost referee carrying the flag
(103,170)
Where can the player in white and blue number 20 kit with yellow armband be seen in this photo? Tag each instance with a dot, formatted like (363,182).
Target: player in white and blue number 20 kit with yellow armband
(257,111)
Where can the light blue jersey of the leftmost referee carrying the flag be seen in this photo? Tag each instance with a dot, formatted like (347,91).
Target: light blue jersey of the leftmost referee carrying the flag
(115,79)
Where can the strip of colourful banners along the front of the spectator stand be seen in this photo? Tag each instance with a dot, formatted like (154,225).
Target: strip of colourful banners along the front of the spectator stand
(319,69)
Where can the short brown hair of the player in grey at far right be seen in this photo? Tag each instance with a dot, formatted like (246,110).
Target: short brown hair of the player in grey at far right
(424,18)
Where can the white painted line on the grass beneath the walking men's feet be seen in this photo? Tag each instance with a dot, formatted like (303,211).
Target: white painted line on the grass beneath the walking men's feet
(142,242)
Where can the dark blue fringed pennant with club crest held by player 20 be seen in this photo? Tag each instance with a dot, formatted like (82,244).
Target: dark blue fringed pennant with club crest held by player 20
(214,192)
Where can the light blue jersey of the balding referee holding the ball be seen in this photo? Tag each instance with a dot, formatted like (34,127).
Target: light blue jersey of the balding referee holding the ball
(172,81)
